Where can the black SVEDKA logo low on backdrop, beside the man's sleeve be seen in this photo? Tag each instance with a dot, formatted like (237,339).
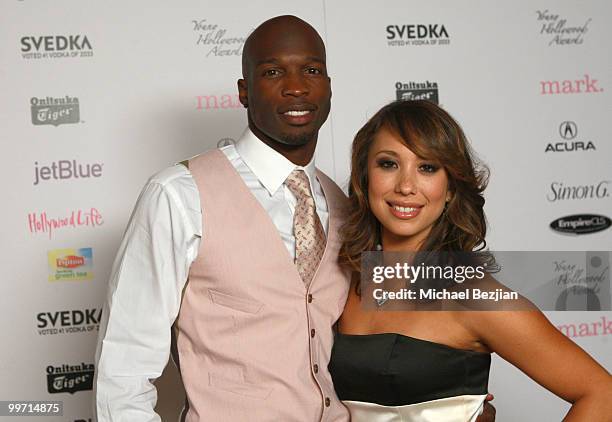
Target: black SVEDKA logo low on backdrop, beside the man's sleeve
(68,322)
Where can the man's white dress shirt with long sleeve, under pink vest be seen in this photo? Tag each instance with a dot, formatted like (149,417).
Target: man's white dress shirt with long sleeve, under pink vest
(161,241)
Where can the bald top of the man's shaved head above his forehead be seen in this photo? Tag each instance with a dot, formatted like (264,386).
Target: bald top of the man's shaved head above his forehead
(287,30)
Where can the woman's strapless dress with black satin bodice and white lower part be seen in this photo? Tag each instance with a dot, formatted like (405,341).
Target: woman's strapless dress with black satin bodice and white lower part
(390,377)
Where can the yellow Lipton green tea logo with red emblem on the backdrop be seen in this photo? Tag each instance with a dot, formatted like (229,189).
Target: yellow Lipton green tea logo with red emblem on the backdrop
(70,264)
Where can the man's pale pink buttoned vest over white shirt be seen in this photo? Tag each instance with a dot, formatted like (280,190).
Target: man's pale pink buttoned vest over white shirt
(253,343)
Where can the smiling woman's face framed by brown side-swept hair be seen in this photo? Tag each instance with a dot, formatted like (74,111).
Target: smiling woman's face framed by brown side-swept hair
(407,194)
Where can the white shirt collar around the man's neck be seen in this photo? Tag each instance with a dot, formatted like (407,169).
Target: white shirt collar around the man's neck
(269,166)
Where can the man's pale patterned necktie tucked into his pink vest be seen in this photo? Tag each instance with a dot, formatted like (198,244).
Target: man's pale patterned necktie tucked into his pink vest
(307,228)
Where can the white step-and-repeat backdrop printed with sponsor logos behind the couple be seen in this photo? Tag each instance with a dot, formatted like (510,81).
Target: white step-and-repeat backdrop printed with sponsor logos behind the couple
(97,96)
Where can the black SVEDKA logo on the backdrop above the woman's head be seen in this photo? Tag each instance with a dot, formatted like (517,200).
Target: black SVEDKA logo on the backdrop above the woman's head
(417,34)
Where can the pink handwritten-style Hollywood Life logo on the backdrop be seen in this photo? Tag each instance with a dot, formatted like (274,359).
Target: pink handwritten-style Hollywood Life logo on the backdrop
(41,223)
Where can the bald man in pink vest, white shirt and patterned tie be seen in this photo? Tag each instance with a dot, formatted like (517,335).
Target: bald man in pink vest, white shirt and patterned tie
(236,250)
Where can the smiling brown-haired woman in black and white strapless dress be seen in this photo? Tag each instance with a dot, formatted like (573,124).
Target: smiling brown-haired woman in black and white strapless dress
(415,187)
